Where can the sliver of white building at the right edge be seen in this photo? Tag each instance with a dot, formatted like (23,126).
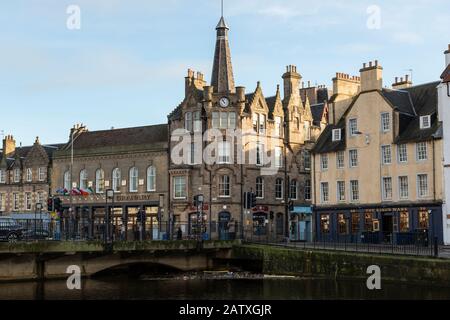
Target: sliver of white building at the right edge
(444,116)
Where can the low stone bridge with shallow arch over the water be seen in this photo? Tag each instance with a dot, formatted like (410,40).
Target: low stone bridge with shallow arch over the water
(49,260)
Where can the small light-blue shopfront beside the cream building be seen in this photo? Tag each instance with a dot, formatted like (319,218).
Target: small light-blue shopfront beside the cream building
(300,224)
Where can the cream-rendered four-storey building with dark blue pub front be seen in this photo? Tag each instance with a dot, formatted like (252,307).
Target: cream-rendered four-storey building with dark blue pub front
(378,164)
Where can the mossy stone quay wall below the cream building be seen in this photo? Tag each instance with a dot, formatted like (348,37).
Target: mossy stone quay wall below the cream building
(330,264)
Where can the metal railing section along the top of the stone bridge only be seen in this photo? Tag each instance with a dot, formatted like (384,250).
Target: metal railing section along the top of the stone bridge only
(67,229)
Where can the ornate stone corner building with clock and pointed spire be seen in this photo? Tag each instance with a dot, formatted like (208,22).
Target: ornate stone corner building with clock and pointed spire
(225,142)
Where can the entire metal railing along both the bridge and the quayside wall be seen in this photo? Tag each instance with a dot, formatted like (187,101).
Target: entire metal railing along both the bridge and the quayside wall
(419,242)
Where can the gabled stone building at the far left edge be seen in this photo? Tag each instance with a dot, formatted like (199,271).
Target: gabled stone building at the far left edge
(25,176)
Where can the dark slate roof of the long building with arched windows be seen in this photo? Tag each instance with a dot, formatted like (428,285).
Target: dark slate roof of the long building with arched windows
(122,137)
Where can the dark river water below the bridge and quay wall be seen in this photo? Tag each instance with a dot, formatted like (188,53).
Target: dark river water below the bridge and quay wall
(198,286)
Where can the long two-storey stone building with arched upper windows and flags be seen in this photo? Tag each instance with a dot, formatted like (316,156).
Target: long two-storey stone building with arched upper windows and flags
(130,162)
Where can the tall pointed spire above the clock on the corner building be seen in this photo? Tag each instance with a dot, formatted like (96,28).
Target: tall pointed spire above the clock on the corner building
(222,75)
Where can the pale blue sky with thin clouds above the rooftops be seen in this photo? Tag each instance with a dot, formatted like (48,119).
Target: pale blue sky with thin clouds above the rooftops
(125,65)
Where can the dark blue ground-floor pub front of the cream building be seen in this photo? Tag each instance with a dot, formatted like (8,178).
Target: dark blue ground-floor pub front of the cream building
(387,225)
